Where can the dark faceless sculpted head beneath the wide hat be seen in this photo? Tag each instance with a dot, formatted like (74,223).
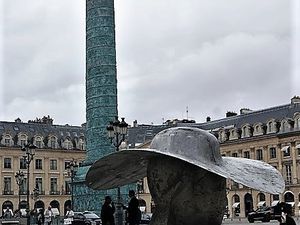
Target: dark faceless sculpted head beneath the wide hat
(185,194)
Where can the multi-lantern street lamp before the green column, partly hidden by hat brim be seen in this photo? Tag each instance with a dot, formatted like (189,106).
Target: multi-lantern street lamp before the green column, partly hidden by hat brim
(117,131)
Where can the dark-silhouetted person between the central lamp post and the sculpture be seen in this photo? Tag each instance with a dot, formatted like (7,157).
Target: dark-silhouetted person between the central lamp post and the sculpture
(133,211)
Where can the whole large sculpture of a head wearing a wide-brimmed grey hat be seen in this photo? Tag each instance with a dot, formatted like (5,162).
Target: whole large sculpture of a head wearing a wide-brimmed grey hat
(186,175)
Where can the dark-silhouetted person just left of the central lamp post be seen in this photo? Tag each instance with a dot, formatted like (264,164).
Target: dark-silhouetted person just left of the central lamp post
(107,212)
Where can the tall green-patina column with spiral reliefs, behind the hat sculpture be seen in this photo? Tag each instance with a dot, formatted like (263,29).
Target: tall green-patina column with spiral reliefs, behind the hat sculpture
(101,99)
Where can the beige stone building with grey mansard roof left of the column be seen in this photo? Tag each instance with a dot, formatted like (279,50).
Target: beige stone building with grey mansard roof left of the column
(56,146)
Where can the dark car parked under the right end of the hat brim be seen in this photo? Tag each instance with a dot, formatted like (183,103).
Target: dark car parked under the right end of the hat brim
(265,214)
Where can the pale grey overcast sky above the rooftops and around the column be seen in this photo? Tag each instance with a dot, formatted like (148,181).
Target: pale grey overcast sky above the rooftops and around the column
(210,56)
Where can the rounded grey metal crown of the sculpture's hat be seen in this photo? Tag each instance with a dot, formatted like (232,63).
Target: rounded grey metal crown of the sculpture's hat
(191,144)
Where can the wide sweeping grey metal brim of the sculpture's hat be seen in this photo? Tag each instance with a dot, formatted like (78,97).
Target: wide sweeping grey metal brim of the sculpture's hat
(128,166)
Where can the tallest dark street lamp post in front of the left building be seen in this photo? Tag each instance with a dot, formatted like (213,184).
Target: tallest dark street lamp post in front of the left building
(29,150)
